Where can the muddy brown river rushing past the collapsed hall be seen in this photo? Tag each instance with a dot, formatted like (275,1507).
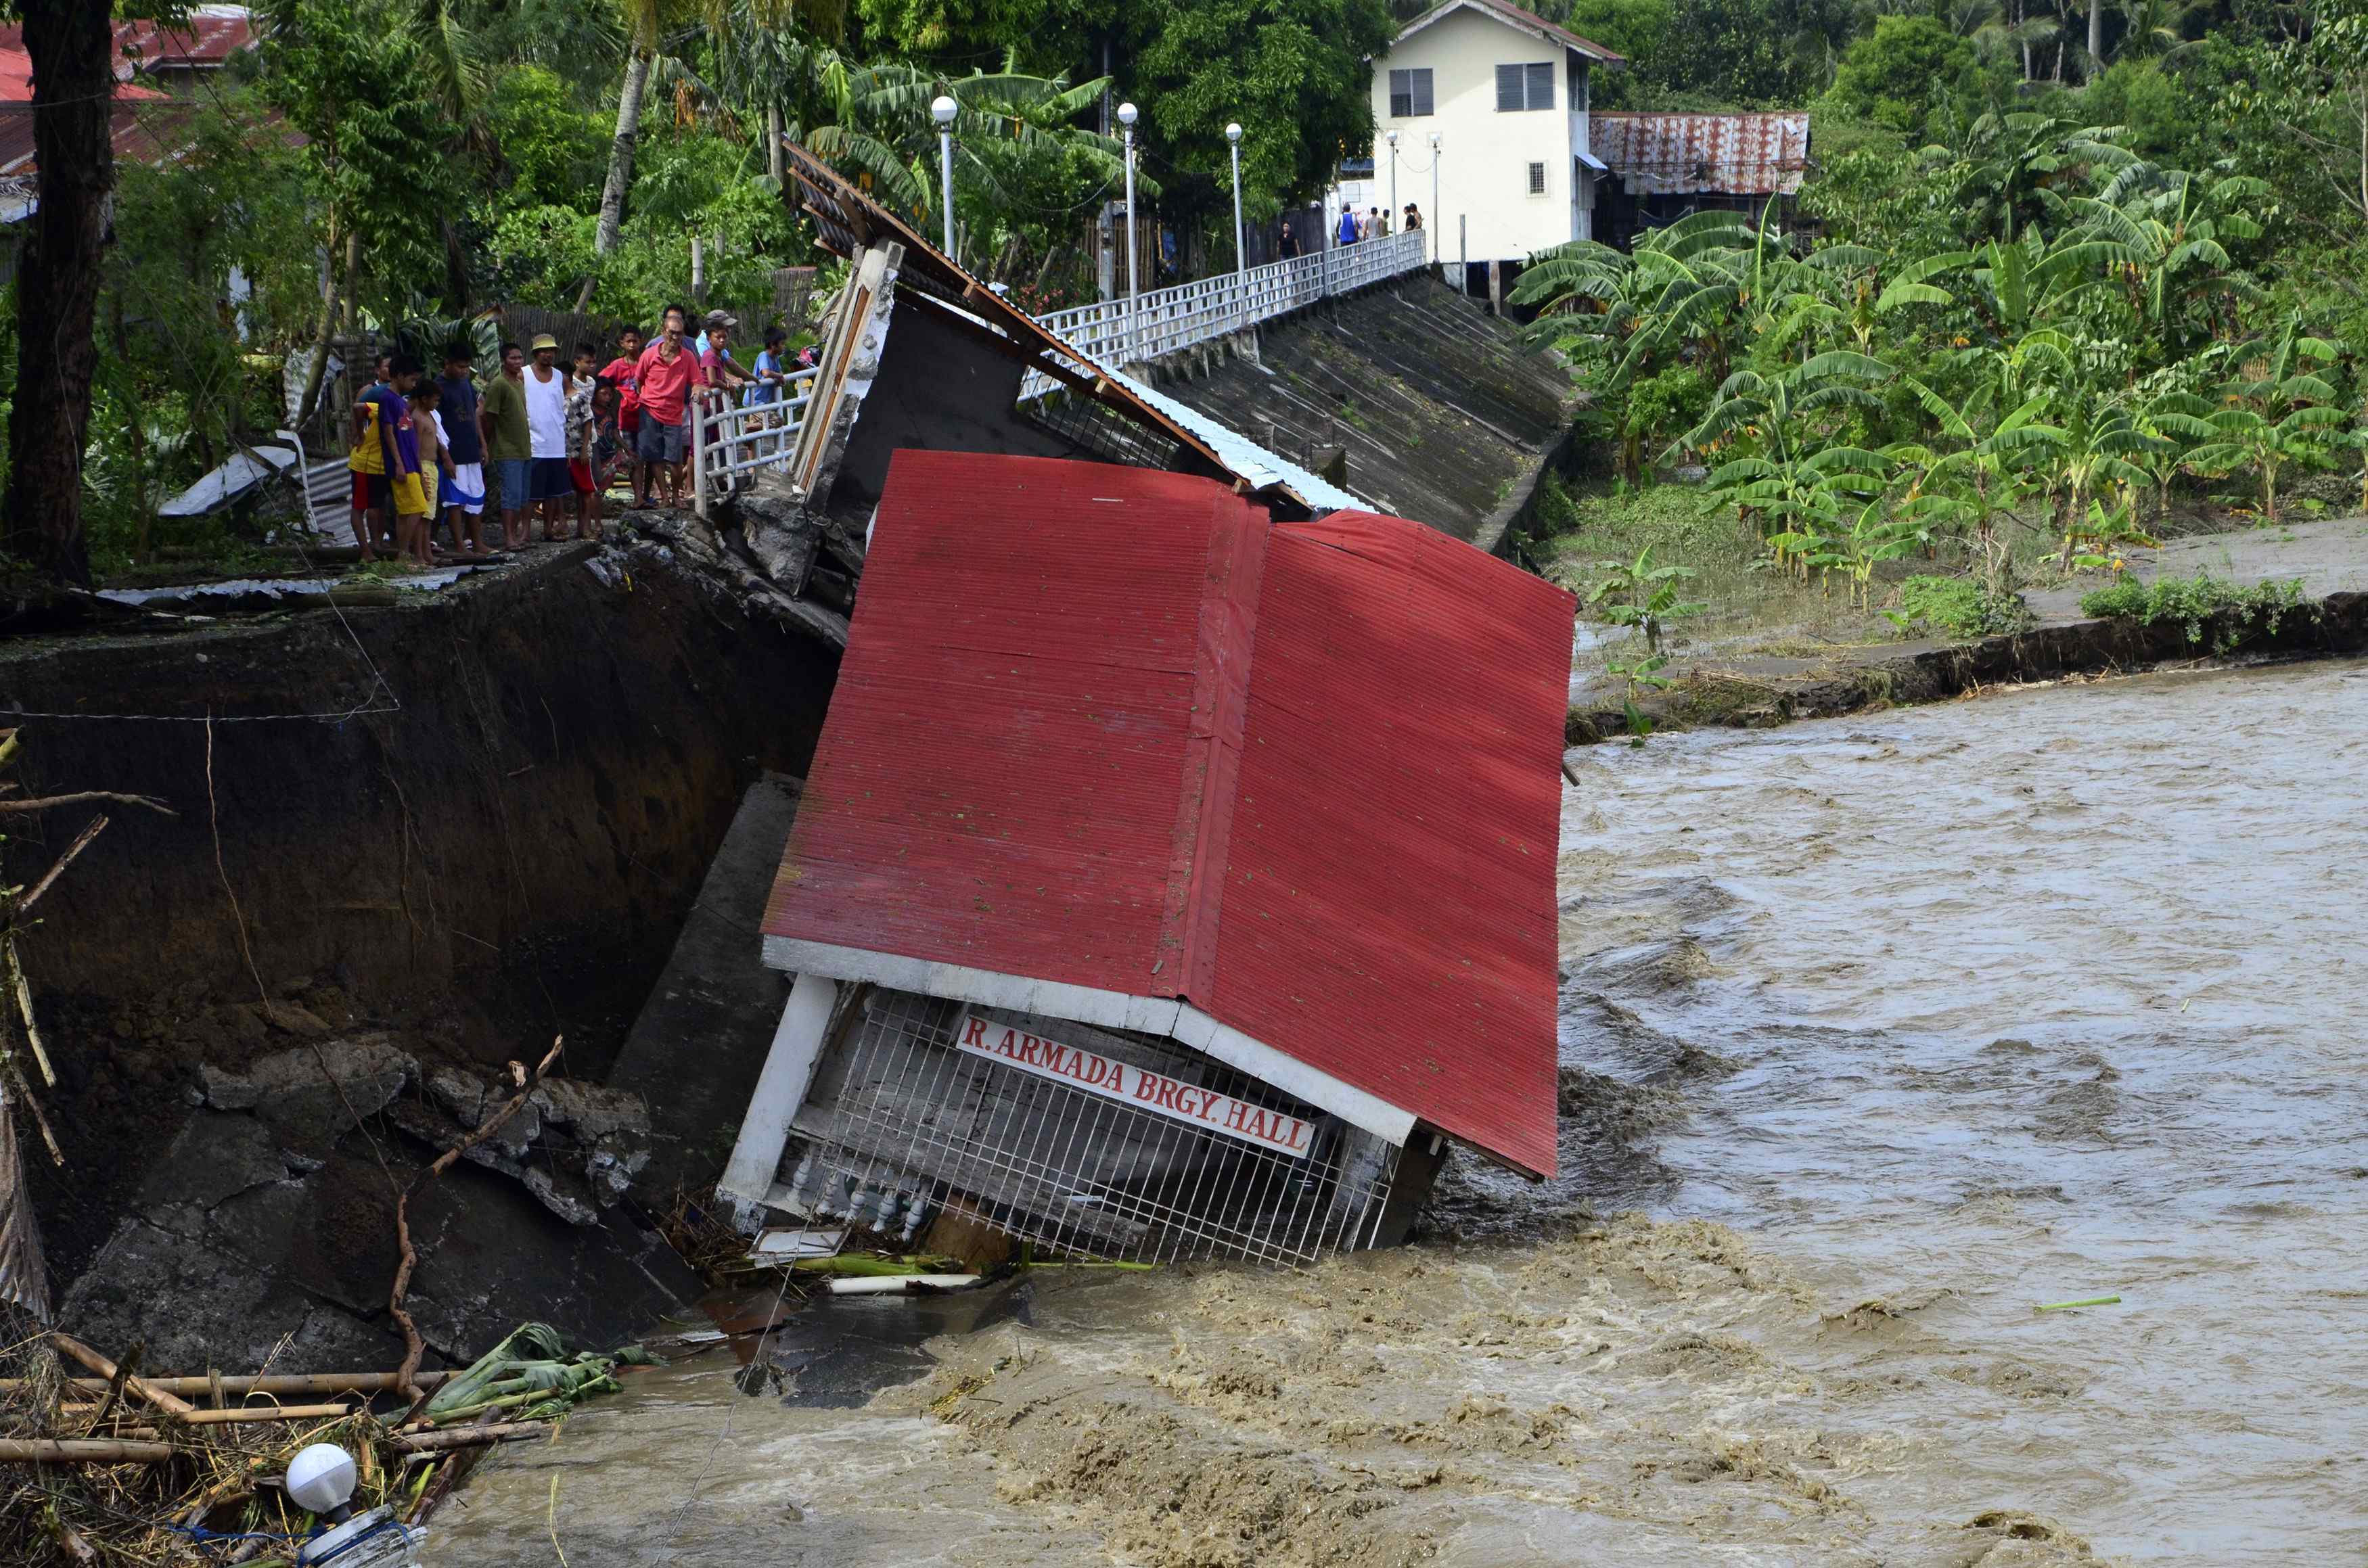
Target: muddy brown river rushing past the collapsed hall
(1877,1036)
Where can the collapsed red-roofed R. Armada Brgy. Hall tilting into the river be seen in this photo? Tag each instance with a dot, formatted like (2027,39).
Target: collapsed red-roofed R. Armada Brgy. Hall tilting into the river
(1143,904)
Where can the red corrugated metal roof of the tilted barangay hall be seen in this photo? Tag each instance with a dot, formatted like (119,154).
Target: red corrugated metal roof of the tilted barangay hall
(1117,728)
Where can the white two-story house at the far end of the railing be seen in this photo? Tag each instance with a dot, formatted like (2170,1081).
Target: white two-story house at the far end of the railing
(1493,101)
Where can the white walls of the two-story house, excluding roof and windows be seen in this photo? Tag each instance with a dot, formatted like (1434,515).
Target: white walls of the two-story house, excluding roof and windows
(1486,158)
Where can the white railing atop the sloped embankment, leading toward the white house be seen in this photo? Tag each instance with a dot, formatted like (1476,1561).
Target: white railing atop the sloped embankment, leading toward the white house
(1126,333)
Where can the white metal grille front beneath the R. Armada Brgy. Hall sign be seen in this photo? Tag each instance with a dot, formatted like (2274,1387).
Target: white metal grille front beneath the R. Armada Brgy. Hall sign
(903,1126)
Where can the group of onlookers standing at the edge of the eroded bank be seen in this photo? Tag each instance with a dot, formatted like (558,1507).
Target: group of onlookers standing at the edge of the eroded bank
(548,437)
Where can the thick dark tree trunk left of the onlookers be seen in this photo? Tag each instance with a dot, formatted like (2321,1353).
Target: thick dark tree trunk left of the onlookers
(58,283)
